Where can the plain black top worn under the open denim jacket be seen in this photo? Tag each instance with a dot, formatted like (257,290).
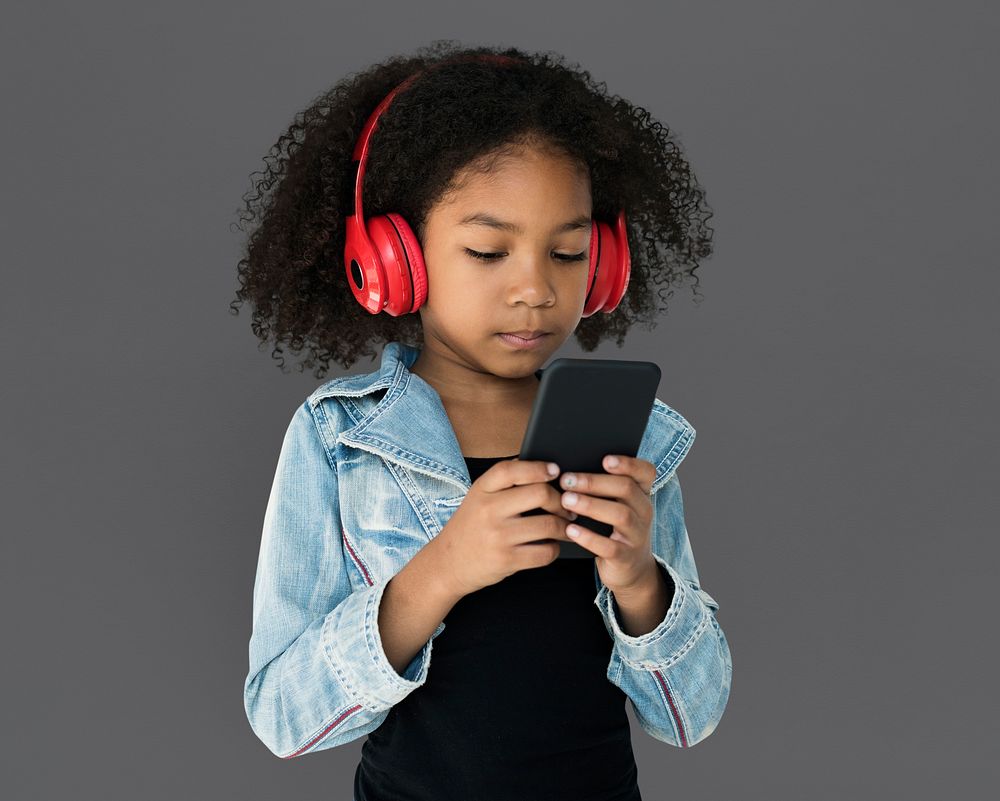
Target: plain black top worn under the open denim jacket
(517,705)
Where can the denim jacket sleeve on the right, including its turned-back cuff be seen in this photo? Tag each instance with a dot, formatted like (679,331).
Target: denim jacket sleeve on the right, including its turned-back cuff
(678,675)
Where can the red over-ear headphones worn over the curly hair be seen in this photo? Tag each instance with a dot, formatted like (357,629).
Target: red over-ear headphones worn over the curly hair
(385,266)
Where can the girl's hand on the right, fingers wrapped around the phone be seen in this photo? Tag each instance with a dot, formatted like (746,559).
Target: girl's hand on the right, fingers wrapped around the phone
(622,499)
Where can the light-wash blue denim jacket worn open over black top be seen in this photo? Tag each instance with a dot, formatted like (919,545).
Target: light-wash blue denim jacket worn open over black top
(370,471)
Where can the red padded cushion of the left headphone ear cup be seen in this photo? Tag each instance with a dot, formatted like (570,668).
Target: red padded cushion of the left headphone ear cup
(402,263)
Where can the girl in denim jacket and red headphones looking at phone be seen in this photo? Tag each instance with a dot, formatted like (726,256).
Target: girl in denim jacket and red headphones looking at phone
(394,521)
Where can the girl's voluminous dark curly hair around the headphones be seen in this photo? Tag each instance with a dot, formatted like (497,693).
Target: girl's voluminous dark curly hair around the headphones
(460,114)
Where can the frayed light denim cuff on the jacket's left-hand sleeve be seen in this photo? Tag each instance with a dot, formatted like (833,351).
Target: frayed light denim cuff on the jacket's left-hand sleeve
(353,645)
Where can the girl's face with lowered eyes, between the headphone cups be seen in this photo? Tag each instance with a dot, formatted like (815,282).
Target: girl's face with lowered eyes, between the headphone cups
(533,215)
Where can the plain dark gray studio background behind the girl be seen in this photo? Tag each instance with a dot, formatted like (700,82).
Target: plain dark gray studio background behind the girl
(840,374)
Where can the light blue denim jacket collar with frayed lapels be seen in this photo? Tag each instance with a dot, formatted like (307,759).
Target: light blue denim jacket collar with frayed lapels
(404,425)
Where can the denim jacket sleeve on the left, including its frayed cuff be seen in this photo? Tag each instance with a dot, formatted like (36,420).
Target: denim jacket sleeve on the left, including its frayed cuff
(318,675)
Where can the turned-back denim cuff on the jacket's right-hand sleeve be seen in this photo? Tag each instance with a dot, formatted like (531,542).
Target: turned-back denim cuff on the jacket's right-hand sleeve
(686,619)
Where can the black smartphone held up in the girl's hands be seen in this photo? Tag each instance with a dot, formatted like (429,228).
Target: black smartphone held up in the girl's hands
(584,410)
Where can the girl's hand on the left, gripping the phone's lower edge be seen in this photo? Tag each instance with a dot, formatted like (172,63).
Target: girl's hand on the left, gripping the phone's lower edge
(487,539)
